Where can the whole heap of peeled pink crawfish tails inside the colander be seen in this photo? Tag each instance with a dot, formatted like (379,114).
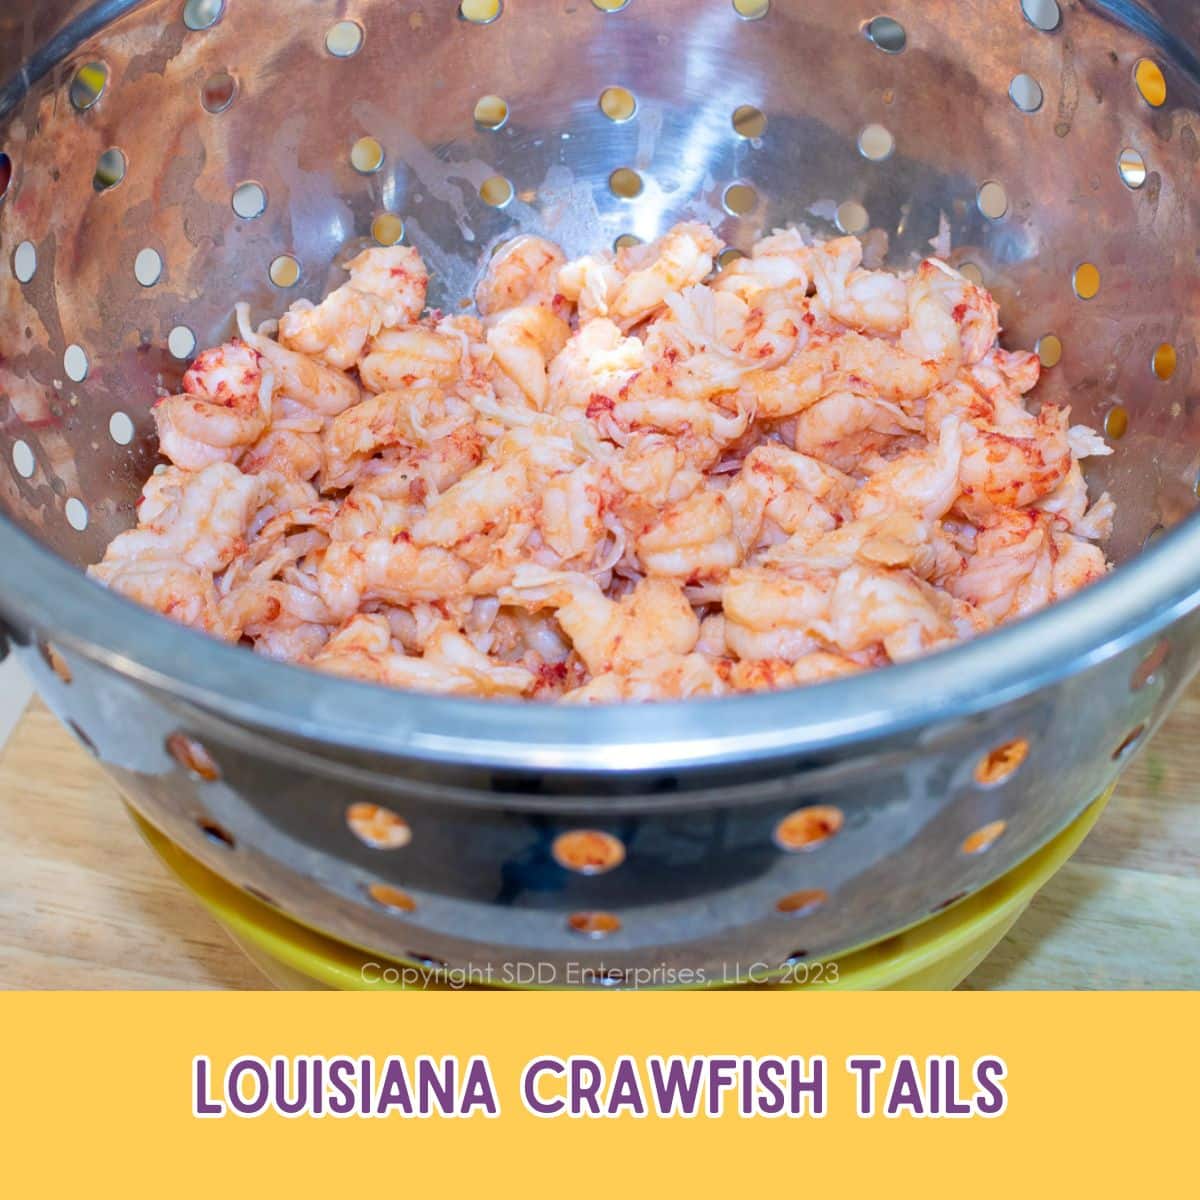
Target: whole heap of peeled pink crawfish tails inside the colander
(626,478)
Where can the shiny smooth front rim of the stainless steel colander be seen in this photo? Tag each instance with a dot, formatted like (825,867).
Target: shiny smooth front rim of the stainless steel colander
(1137,602)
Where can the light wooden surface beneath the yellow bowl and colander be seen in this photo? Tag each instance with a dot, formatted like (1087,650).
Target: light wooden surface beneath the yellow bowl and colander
(86,904)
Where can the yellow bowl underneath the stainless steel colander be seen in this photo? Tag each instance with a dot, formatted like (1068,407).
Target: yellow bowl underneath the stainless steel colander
(934,956)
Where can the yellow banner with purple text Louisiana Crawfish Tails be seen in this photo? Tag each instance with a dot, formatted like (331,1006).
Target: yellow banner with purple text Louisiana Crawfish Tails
(598,1095)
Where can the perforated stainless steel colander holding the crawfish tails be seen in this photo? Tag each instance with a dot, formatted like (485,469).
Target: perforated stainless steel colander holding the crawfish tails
(165,160)
